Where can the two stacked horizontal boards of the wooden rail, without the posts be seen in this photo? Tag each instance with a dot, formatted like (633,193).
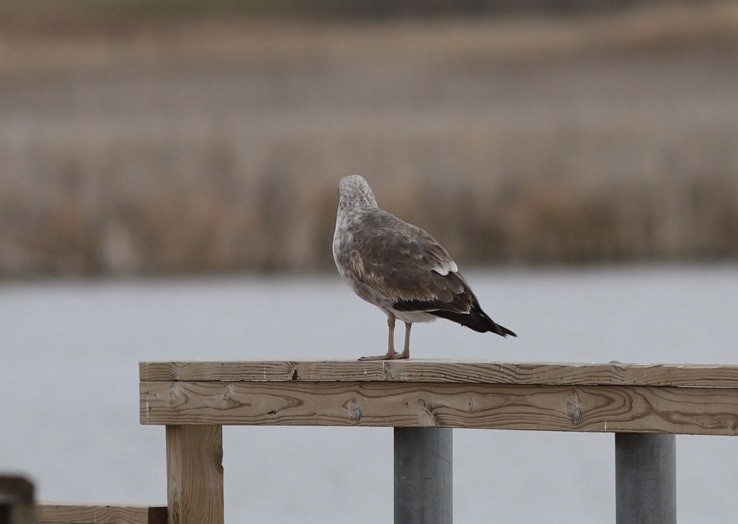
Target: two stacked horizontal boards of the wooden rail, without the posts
(614,397)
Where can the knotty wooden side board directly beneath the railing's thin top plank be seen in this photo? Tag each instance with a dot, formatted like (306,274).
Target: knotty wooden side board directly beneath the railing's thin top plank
(642,409)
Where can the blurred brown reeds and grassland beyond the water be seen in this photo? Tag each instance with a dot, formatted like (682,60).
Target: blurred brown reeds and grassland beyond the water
(172,136)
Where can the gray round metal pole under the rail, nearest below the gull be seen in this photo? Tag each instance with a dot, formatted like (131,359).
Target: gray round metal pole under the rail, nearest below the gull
(423,476)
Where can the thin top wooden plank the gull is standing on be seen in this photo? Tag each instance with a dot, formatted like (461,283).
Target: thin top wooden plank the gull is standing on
(445,372)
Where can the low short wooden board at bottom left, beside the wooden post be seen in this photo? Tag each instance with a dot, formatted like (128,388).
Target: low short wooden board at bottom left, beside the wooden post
(100,514)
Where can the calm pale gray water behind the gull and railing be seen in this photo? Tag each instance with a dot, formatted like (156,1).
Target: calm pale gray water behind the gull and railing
(69,390)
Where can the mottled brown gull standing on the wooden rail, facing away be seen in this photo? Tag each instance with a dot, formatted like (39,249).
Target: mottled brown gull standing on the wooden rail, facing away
(400,268)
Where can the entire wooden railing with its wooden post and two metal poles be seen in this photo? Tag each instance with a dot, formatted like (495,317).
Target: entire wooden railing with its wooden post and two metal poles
(644,405)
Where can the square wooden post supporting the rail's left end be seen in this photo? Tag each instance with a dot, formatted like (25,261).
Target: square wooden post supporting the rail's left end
(195,474)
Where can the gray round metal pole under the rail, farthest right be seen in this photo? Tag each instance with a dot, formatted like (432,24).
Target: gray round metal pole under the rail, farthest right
(645,478)
